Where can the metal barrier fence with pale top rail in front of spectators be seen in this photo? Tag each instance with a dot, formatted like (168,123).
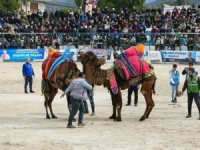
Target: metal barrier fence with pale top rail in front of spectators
(153,41)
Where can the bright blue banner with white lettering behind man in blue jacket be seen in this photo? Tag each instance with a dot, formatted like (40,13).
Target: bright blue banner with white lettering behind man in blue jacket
(22,54)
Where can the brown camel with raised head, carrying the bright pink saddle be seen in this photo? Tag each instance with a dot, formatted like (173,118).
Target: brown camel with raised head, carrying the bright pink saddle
(97,76)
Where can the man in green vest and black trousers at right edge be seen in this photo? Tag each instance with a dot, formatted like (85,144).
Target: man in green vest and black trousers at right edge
(192,84)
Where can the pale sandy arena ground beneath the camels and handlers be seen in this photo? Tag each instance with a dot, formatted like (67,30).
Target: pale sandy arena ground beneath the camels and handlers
(23,124)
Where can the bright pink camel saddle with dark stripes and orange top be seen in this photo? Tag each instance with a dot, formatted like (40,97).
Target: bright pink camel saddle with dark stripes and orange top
(132,66)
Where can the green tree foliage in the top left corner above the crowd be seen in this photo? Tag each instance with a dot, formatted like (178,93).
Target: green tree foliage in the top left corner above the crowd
(9,5)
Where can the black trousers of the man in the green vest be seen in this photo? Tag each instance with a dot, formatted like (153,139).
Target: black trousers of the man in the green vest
(192,96)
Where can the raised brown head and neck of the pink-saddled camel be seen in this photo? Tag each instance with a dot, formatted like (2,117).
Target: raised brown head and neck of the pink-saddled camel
(91,66)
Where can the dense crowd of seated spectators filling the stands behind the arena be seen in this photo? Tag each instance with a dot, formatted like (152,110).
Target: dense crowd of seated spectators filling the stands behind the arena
(101,28)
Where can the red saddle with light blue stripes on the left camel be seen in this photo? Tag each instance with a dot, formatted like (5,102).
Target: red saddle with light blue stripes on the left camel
(54,72)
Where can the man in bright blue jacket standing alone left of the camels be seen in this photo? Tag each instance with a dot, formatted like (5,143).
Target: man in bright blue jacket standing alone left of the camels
(28,73)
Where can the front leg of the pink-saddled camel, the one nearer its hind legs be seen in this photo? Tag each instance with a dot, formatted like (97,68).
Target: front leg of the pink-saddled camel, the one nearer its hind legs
(118,98)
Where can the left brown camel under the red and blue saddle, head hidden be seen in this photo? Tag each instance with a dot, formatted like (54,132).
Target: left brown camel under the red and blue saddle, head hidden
(59,80)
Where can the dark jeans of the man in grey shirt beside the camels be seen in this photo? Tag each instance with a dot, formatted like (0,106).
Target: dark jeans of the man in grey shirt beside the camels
(77,104)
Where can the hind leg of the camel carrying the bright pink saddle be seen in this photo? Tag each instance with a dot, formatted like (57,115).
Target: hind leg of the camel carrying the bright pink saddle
(146,90)
